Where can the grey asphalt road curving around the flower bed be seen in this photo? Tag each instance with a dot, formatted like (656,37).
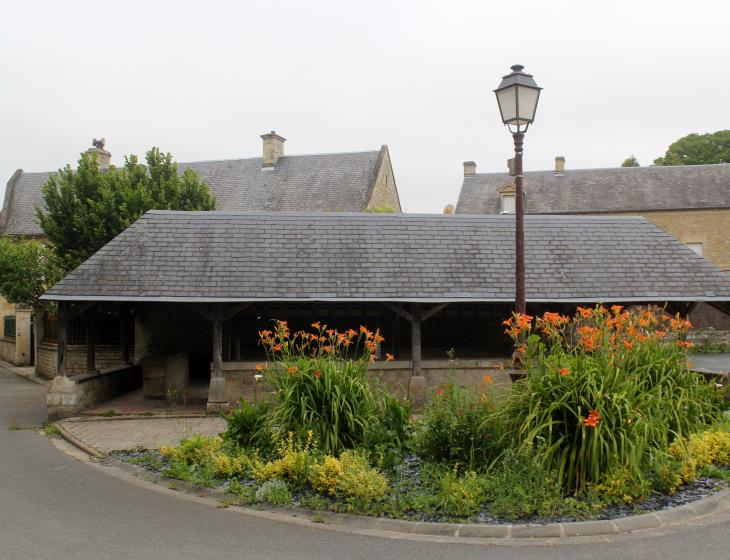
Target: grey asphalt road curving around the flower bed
(53,506)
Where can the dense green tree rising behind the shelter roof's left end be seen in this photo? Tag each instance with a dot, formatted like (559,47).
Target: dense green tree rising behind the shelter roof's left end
(88,207)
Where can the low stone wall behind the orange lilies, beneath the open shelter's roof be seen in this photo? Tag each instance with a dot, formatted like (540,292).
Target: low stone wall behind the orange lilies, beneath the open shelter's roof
(395,375)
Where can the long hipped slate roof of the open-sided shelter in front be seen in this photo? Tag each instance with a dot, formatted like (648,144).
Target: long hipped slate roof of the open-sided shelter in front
(225,256)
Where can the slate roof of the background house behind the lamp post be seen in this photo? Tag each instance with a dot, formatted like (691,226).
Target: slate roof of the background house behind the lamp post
(630,189)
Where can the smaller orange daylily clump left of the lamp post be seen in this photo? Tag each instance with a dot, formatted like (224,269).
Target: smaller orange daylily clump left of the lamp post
(321,385)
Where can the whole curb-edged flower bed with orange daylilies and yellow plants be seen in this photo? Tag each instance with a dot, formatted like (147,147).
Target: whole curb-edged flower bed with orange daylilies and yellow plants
(608,420)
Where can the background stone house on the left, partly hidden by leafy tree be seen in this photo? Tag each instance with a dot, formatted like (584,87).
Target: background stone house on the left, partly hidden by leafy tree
(337,182)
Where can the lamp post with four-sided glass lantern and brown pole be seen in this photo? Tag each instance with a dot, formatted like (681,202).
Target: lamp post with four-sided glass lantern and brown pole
(517,97)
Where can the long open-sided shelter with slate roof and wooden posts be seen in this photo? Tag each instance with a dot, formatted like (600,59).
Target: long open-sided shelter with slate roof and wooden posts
(194,288)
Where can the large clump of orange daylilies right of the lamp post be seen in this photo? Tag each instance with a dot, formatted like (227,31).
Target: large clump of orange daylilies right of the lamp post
(603,389)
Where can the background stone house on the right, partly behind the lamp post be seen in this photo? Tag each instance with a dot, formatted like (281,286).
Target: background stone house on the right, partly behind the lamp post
(690,202)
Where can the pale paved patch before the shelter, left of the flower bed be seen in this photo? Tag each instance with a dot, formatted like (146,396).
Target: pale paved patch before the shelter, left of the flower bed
(148,433)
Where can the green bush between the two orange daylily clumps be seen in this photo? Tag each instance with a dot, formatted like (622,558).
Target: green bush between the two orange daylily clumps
(456,427)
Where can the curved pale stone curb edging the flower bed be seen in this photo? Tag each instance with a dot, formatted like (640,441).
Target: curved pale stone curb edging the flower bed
(549,531)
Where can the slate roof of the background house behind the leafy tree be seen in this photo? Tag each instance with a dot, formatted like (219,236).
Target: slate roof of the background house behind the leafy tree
(308,183)
